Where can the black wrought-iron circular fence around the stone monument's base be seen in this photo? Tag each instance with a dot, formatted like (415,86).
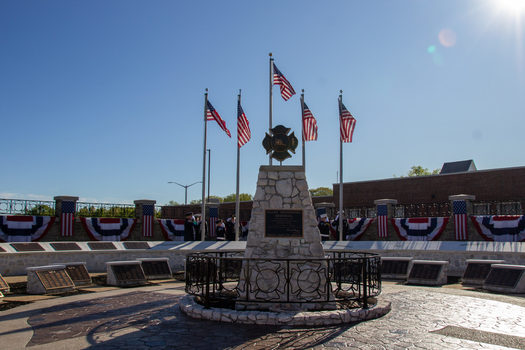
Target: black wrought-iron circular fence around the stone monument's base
(352,279)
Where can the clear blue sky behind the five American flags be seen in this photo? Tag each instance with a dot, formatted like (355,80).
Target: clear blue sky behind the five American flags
(104,99)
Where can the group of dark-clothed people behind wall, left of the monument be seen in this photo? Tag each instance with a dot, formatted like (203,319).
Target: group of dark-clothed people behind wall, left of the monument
(224,229)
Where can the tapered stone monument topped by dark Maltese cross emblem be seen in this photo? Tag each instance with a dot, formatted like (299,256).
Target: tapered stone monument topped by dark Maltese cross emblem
(283,226)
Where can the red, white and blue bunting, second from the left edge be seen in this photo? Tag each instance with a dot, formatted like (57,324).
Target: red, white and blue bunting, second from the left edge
(108,229)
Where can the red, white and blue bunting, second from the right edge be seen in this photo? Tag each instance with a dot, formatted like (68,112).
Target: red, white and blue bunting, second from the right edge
(420,229)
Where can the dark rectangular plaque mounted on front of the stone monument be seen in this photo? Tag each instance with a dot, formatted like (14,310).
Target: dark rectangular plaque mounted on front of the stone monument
(283,223)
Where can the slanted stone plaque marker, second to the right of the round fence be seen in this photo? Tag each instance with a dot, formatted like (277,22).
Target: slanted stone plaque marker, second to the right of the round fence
(428,272)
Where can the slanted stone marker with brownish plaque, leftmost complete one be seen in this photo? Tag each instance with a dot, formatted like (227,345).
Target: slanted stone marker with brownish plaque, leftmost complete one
(48,280)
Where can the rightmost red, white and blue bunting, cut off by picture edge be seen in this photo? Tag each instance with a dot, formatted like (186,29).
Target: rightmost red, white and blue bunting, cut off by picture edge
(500,228)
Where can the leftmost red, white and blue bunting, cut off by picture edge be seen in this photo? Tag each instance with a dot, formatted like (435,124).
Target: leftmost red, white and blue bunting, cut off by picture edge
(24,228)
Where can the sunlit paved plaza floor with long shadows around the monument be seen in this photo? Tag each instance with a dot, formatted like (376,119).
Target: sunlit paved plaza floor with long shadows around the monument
(449,317)
